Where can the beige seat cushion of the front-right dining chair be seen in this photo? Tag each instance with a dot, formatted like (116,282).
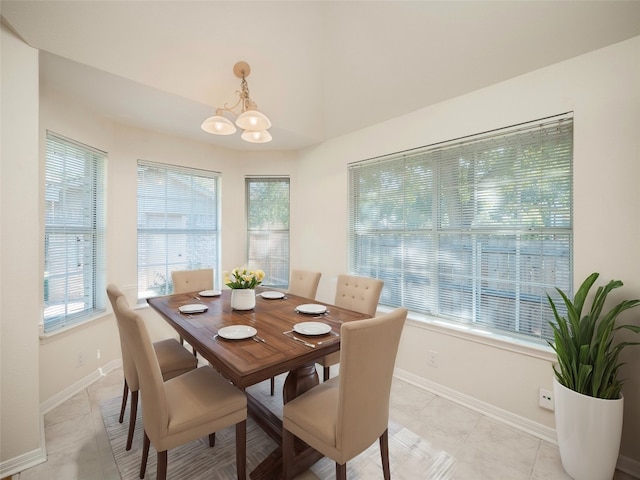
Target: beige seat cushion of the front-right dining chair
(316,410)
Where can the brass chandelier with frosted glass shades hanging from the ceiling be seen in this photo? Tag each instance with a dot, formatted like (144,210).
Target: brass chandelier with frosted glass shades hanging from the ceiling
(253,123)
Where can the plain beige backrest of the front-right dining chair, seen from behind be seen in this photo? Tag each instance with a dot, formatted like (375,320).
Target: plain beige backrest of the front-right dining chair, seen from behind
(368,351)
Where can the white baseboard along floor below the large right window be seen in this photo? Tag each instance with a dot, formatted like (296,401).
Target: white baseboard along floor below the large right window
(625,464)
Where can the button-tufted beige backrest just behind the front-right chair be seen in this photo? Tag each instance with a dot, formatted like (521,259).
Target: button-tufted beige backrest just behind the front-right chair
(360,294)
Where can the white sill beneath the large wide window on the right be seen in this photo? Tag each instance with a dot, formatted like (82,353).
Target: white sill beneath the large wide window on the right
(478,335)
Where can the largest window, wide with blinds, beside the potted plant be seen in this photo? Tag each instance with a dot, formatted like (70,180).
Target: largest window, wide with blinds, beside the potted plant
(475,231)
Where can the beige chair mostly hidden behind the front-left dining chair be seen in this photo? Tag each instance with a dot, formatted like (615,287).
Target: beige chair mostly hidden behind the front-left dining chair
(173,359)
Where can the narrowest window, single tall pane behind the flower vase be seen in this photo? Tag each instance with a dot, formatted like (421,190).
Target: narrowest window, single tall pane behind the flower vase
(268,228)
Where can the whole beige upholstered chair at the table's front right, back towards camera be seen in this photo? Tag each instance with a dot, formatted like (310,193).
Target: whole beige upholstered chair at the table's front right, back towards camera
(342,417)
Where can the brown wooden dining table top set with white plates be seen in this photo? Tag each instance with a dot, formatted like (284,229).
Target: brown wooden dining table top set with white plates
(247,362)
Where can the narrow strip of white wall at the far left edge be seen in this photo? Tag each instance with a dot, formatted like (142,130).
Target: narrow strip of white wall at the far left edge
(20,272)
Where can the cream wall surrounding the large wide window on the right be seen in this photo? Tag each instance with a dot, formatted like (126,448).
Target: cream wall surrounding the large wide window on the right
(602,88)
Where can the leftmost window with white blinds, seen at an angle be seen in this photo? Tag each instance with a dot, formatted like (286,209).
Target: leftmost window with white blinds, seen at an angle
(74,262)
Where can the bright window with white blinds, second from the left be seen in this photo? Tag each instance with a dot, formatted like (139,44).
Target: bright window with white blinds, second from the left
(178,224)
